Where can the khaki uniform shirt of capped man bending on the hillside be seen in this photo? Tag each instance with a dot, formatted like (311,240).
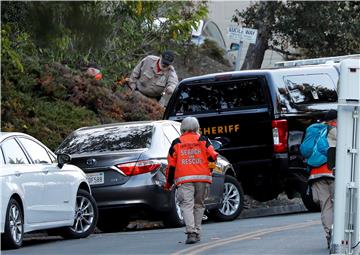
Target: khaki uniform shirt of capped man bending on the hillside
(151,83)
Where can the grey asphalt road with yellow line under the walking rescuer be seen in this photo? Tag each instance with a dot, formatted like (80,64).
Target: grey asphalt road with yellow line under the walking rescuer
(287,234)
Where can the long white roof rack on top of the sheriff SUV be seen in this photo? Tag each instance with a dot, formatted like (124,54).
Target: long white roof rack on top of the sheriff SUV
(314,61)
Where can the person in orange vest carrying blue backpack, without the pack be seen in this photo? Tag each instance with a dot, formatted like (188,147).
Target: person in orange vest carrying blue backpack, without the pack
(322,178)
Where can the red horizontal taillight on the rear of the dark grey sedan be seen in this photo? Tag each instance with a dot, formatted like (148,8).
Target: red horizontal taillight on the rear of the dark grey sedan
(139,167)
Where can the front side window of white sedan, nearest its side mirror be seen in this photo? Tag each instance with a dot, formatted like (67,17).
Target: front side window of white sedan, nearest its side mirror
(37,153)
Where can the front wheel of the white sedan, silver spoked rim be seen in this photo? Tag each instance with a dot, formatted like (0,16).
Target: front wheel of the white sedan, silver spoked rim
(85,218)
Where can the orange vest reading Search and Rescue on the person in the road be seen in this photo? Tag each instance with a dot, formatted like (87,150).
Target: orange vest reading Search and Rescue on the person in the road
(189,156)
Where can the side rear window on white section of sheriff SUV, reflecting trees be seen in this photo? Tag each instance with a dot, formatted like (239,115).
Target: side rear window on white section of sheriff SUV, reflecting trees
(315,88)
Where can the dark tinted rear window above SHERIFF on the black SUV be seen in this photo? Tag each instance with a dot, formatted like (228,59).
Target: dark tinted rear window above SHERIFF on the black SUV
(220,96)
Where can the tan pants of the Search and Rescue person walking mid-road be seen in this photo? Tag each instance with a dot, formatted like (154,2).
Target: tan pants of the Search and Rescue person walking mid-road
(191,197)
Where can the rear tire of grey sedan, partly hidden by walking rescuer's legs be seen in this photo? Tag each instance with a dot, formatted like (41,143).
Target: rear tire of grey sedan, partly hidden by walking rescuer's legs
(174,218)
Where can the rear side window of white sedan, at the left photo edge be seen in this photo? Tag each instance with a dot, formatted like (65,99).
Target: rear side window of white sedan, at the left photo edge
(13,153)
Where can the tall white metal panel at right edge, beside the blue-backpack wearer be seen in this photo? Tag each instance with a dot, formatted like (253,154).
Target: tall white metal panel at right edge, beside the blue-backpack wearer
(346,228)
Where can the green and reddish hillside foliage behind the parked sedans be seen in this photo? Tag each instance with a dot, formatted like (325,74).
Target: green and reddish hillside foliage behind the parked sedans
(47,45)
